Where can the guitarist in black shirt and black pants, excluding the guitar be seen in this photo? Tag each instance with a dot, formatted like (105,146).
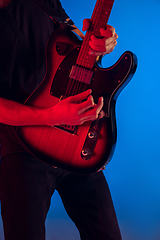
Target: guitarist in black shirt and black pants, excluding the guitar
(27,184)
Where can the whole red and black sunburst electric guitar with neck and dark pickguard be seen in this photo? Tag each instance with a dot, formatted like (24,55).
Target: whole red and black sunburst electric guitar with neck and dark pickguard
(71,70)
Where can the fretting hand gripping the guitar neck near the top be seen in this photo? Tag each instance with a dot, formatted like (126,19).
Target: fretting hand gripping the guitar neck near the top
(104,45)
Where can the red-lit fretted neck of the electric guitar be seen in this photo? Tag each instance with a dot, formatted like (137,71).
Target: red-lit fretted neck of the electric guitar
(99,20)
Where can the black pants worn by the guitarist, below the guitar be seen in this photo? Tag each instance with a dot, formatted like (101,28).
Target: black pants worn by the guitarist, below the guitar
(27,185)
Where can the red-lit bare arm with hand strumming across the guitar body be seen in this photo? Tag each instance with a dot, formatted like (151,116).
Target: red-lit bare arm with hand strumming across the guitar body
(74,110)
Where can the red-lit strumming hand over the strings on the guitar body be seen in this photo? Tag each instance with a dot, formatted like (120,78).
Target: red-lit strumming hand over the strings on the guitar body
(75,110)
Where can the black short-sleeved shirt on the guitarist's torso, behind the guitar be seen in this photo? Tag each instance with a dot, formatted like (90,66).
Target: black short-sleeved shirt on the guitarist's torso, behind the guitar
(17,79)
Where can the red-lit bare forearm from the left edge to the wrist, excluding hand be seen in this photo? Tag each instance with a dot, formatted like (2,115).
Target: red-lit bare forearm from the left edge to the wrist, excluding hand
(16,114)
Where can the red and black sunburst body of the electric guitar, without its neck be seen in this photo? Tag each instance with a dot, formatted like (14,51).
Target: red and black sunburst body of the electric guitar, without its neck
(59,147)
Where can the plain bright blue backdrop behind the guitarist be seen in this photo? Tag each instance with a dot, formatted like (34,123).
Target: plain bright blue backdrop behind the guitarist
(133,173)
